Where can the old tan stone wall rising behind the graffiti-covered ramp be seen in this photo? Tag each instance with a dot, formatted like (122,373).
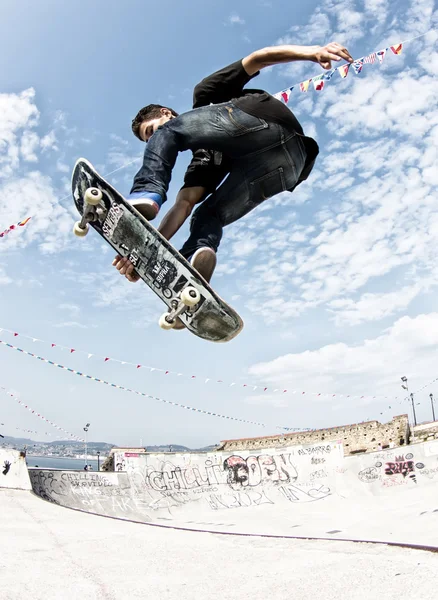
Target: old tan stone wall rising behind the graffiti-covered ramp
(360,437)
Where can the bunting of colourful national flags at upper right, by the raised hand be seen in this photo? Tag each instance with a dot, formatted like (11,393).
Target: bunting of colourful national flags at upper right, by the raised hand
(343,70)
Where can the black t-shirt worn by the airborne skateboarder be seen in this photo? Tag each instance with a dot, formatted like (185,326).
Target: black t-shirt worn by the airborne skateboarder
(208,168)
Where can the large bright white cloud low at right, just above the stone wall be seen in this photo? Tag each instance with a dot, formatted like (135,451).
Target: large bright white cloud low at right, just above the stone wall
(373,366)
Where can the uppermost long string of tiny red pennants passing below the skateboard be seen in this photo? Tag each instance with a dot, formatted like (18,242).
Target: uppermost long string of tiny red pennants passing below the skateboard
(198,378)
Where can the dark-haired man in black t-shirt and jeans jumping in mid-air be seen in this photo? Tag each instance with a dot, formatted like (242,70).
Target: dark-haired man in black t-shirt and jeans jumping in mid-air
(250,135)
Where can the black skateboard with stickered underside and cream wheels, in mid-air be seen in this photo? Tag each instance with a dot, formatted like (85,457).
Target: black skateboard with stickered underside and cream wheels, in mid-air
(174,280)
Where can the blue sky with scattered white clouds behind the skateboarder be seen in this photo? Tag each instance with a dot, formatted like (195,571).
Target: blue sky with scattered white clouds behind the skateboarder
(336,283)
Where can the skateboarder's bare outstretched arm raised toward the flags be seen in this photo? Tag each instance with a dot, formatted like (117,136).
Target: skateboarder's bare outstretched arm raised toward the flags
(323,55)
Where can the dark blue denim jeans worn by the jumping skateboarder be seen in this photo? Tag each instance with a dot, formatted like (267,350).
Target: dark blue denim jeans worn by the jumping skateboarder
(266,159)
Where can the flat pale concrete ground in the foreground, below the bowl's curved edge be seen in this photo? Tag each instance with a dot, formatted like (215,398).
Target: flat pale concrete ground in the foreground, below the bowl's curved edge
(50,552)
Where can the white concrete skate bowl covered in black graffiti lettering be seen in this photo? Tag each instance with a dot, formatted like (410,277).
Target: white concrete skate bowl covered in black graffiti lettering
(300,492)
